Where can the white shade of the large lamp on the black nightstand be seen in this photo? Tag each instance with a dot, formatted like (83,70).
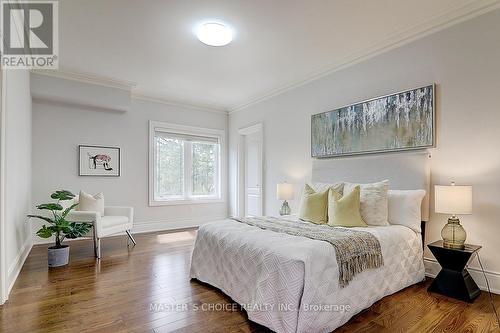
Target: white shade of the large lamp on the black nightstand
(453,199)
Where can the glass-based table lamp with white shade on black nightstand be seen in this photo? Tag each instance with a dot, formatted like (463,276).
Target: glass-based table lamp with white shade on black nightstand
(455,200)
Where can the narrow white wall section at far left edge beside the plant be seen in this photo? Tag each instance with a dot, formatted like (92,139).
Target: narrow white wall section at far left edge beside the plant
(17,174)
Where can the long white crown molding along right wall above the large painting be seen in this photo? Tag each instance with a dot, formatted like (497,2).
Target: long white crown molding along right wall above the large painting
(433,25)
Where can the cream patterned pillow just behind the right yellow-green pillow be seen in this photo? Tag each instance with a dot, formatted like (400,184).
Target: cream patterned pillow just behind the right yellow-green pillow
(374,206)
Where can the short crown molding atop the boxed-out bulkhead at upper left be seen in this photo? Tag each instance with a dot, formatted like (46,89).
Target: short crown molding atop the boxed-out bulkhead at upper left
(87,78)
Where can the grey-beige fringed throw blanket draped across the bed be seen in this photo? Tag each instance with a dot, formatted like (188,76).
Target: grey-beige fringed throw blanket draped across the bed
(355,250)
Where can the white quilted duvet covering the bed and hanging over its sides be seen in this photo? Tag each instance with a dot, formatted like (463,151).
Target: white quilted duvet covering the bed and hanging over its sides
(290,284)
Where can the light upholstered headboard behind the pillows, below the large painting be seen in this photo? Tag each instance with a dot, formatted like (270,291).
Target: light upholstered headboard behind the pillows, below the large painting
(405,171)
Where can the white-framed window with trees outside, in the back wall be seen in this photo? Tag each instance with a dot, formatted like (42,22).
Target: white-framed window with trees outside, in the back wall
(185,164)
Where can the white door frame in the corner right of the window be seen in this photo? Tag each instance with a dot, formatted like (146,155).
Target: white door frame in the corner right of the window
(241,179)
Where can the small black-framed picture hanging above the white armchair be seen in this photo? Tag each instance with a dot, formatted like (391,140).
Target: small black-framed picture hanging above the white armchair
(99,161)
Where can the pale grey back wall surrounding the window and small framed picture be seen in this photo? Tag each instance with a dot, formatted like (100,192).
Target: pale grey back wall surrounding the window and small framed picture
(58,129)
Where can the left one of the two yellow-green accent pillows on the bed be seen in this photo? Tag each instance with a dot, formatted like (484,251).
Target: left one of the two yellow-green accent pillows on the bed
(314,206)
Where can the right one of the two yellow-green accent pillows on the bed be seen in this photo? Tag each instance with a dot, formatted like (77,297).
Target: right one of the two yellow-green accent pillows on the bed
(344,211)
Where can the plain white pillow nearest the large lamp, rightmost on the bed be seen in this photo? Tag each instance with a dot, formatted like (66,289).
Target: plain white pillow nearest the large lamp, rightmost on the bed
(405,208)
